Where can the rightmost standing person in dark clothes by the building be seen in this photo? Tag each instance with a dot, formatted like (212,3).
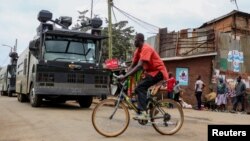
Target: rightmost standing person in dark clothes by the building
(240,91)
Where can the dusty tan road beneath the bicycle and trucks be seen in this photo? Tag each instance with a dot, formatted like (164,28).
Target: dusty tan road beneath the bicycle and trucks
(68,122)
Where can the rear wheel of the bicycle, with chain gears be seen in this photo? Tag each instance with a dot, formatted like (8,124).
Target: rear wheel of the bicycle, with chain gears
(167,117)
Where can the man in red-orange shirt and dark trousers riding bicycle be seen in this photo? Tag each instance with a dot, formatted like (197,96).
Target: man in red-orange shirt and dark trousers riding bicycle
(148,59)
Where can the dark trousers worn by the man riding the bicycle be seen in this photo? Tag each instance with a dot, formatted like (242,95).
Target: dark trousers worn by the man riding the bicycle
(142,88)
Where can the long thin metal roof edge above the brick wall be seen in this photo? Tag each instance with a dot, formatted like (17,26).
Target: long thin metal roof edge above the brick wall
(188,57)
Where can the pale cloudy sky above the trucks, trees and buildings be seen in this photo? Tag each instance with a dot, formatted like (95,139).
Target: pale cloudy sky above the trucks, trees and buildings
(18,18)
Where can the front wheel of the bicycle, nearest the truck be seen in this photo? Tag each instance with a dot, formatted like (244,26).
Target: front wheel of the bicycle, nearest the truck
(109,121)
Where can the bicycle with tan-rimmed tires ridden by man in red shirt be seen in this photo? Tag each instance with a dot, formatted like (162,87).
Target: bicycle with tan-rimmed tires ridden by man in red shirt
(111,117)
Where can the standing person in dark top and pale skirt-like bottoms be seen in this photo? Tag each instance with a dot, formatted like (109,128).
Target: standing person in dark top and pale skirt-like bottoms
(221,98)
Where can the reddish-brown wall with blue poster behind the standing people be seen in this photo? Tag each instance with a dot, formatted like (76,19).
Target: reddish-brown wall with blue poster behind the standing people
(196,66)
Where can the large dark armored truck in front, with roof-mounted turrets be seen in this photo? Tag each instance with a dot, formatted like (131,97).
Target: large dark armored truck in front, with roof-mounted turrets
(61,64)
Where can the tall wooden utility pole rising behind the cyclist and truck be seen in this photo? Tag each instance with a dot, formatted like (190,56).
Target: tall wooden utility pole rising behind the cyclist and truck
(110,3)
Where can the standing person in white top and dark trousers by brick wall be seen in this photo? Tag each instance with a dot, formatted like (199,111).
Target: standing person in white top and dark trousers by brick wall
(199,86)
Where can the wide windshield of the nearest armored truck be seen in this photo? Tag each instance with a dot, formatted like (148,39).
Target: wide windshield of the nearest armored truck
(70,50)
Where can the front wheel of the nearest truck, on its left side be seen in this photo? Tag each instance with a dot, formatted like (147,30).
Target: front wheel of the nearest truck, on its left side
(35,100)
